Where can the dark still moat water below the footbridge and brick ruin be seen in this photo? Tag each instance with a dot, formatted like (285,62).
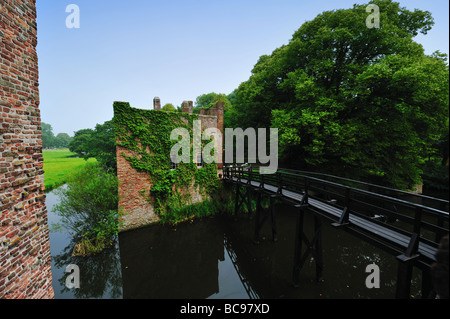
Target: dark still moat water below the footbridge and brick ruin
(217,258)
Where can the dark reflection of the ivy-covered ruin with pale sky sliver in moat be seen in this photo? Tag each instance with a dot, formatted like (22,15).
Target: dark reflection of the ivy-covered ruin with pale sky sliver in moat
(188,261)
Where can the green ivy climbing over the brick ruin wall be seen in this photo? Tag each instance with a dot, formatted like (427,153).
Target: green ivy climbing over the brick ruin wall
(146,133)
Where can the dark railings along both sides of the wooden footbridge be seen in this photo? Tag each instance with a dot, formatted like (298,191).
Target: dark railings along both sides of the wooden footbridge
(399,215)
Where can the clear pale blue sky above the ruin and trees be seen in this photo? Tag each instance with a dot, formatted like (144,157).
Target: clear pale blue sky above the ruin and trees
(134,50)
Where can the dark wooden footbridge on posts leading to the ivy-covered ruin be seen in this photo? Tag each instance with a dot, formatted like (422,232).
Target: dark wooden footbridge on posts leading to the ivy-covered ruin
(409,226)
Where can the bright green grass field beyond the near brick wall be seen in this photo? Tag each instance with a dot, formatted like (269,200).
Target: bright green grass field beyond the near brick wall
(58,164)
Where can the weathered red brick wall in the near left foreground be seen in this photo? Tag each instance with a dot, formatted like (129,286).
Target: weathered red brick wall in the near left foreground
(25,269)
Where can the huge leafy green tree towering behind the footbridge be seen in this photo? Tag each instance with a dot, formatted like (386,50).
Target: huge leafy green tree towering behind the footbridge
(367,103)
